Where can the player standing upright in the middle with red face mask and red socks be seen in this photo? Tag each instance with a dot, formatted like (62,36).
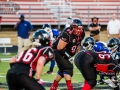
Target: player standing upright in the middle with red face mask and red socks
(66,46)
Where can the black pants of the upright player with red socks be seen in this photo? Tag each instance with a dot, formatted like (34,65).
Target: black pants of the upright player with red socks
(63,64)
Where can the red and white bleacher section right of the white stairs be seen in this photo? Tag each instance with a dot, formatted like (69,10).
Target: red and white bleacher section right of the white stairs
(99,8)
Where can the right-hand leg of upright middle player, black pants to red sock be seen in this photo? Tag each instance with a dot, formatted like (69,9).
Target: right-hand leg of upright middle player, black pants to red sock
(65,67)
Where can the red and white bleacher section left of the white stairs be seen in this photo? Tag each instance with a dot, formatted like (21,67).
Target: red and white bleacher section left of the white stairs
(36,12)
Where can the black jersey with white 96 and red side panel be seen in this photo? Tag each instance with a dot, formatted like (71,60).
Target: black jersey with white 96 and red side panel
(27,60)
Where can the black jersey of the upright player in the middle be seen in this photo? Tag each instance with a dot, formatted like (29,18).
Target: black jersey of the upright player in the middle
(72,41)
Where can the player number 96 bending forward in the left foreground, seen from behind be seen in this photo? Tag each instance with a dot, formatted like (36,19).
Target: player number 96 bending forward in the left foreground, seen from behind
(30,61)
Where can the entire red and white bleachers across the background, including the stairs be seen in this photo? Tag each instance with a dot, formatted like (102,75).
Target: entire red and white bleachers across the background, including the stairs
(46,11)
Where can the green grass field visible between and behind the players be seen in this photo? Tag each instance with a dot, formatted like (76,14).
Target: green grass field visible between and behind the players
(4,66)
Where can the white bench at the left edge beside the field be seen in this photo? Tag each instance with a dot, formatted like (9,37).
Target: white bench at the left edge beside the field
(5,42)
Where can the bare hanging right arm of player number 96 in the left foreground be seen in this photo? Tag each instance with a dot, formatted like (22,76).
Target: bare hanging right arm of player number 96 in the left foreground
(39,68)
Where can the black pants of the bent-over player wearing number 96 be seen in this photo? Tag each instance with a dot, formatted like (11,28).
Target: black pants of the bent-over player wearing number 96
(17,82)
